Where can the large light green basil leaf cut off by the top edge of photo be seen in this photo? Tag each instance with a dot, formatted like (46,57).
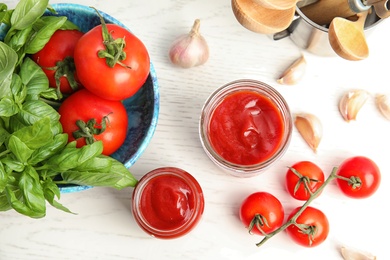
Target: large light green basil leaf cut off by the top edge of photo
(27,12)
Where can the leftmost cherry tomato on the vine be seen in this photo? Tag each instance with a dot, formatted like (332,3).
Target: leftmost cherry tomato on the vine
(261,209)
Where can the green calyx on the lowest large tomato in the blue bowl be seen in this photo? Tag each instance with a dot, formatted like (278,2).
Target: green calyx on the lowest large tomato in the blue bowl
(89,129)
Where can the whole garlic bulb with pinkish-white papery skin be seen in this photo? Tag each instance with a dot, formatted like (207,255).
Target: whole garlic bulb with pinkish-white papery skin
(189,50)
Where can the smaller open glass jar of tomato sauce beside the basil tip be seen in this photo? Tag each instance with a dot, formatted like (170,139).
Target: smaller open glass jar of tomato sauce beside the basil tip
(167,203)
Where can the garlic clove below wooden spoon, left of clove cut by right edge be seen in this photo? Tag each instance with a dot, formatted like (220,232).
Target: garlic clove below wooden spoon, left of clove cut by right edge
(351,103)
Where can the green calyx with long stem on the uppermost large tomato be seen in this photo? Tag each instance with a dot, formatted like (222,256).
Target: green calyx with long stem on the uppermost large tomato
(113,52)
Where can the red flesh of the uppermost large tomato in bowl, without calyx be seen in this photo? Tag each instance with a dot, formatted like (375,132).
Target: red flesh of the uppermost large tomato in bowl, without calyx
(117,82)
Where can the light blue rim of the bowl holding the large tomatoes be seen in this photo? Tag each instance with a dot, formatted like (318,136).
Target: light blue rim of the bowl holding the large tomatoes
(156,96)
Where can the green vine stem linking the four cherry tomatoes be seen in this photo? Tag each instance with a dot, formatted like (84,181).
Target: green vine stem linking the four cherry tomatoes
(292,221)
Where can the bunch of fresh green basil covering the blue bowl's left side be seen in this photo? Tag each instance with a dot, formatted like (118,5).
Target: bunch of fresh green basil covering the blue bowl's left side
(35,156)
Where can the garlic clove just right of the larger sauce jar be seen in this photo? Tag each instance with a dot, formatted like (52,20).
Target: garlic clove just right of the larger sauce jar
(310,128)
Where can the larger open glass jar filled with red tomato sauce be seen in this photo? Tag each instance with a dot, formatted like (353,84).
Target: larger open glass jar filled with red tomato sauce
(244,116)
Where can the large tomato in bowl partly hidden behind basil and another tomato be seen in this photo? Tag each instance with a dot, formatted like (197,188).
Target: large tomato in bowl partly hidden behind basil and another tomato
(56,60)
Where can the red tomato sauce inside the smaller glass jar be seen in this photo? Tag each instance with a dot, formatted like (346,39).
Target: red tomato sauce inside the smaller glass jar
(167,202)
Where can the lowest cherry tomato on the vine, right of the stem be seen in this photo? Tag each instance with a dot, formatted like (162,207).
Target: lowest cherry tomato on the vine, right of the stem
(316,227)
